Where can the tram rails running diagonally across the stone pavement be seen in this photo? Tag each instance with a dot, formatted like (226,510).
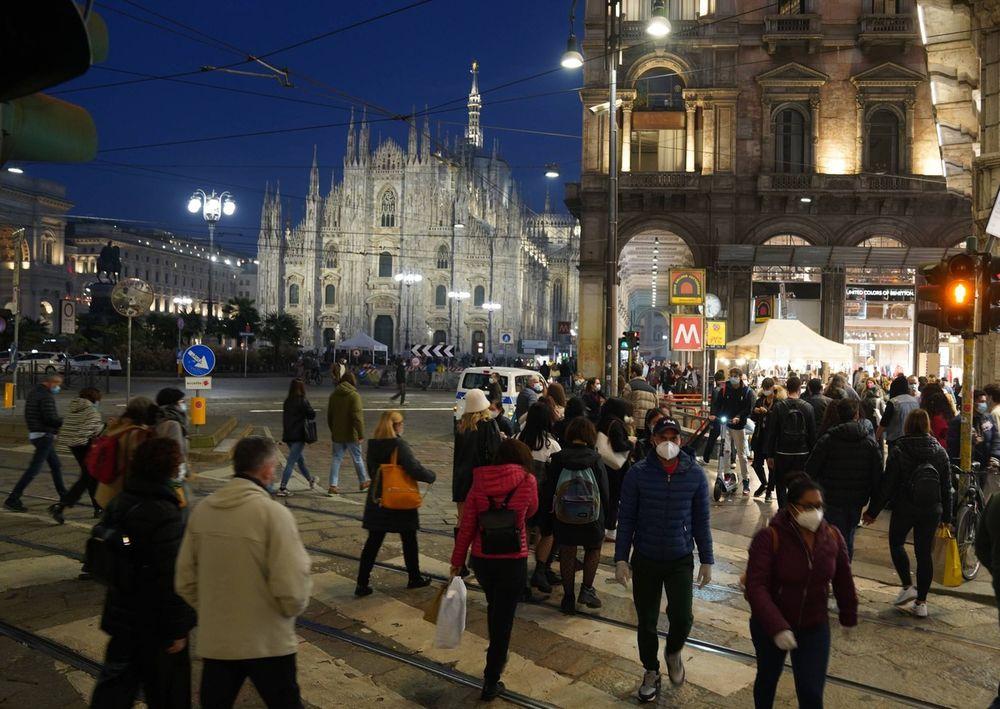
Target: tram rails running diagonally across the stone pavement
(466,680)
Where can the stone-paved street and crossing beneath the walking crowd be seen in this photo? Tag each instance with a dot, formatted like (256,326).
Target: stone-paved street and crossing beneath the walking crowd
(950,659)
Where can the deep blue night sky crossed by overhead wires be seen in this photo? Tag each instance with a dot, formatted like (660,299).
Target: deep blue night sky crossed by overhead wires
(416,57)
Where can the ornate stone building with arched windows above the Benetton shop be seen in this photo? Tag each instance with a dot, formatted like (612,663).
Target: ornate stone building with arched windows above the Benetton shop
(802,144)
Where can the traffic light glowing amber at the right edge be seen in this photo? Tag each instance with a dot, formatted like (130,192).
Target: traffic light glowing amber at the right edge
(952,286)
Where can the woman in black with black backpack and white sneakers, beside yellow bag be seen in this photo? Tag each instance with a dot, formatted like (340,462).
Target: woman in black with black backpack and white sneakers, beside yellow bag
(917,481)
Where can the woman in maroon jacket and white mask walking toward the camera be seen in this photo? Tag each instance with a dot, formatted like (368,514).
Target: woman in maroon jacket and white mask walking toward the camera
(792,563)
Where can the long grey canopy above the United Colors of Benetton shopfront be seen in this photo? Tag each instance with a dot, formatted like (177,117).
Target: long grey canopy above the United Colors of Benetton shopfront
(742,256)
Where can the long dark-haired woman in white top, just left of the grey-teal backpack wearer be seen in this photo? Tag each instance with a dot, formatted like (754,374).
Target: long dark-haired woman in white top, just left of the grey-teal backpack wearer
(537,435)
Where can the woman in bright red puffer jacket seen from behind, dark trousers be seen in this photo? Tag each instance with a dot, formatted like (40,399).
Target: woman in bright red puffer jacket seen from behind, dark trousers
(507,484)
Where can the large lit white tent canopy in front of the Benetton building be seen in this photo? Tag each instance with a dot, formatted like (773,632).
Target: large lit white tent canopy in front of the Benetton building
(781,341)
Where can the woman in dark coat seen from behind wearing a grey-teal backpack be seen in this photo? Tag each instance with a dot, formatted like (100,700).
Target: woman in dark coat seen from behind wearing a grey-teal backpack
(579,454)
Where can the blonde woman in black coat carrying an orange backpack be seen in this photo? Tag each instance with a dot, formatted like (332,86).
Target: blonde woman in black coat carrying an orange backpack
(387,446)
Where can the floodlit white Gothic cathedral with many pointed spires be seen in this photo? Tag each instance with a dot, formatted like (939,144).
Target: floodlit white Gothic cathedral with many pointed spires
(447,211)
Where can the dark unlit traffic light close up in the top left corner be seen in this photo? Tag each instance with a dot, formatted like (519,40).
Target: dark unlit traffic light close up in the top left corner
(36,127)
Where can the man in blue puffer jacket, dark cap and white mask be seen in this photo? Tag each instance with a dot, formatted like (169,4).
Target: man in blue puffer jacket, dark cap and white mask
(663,513)
